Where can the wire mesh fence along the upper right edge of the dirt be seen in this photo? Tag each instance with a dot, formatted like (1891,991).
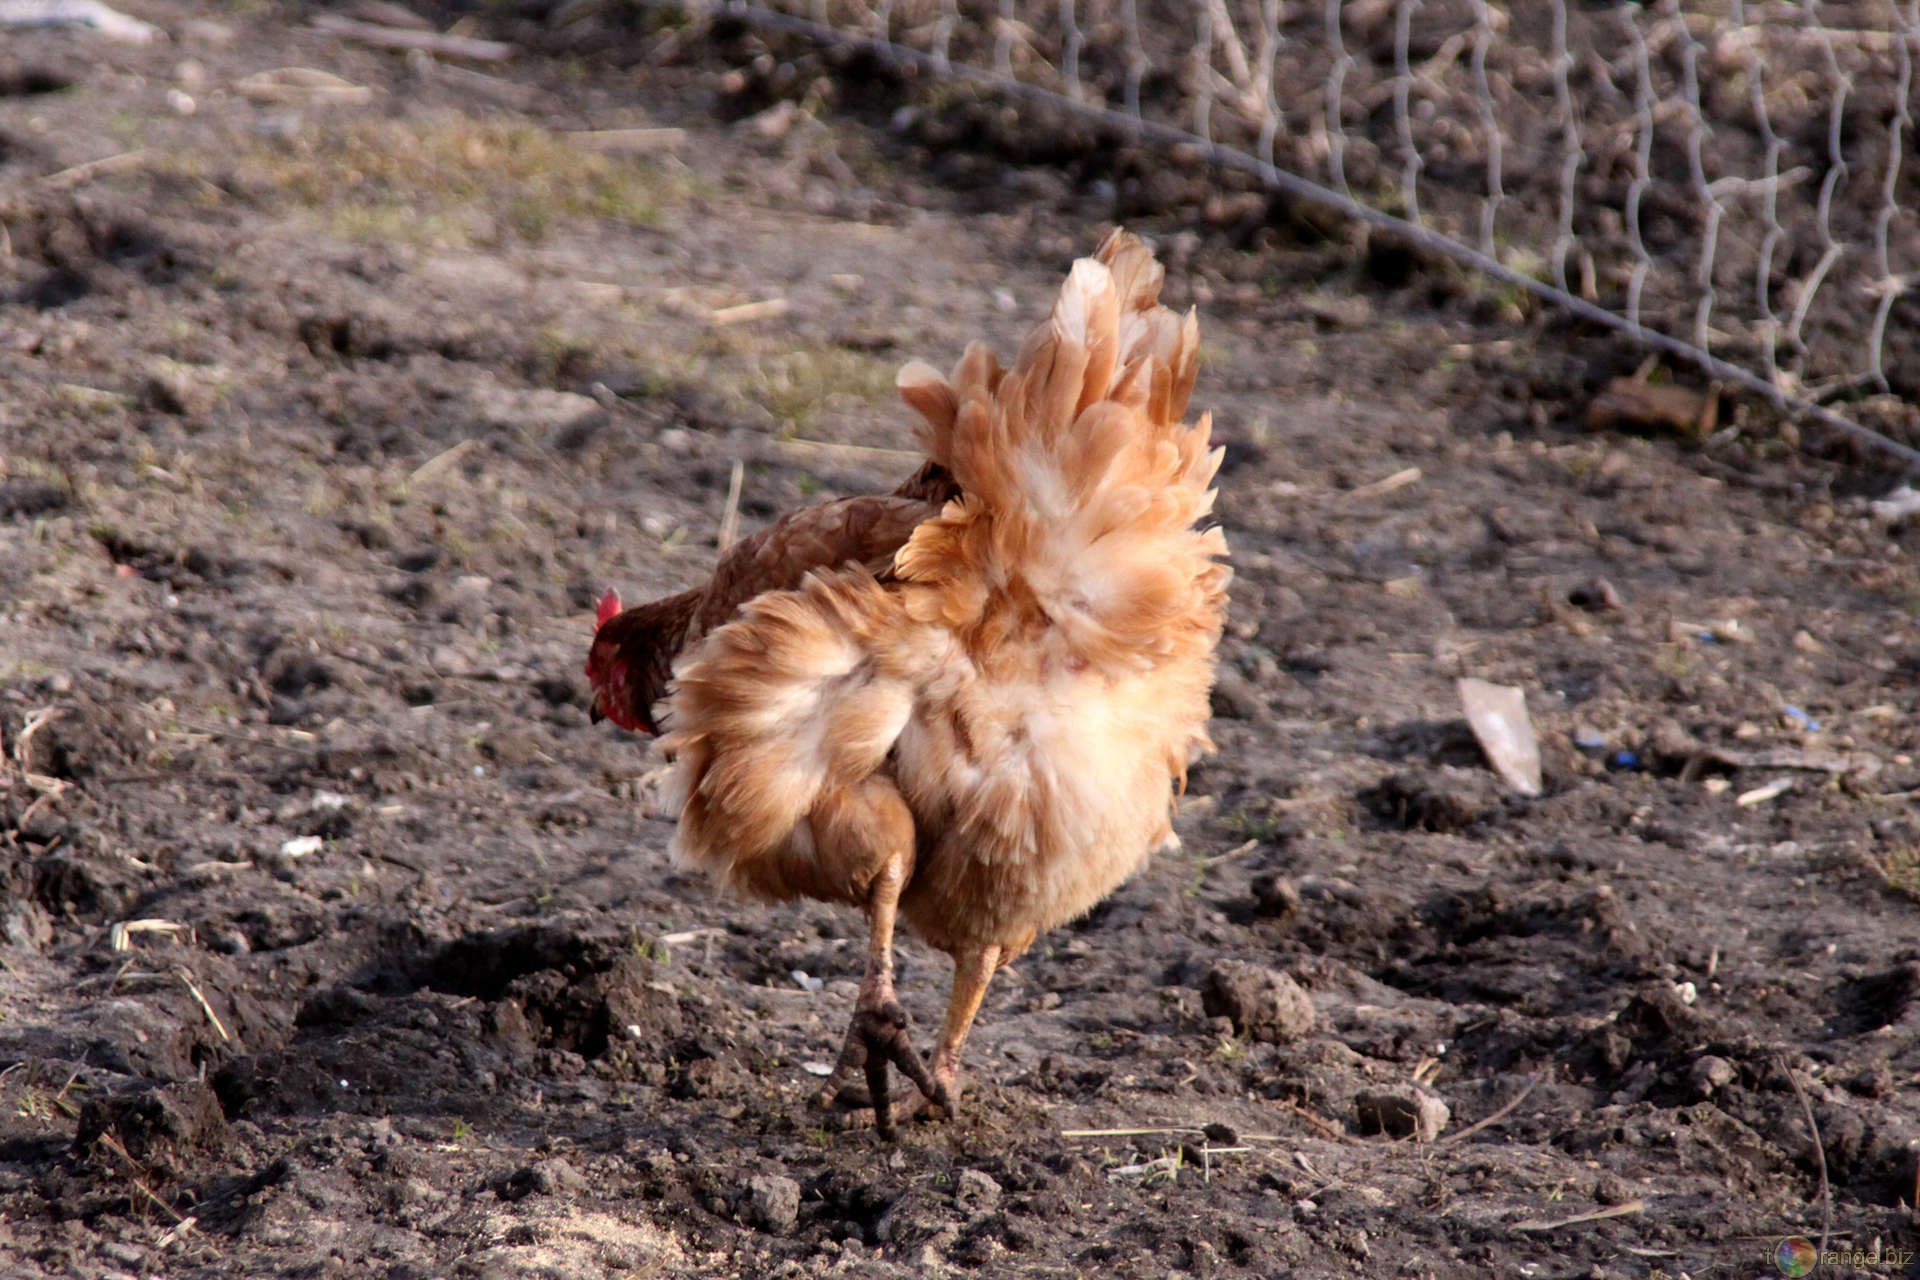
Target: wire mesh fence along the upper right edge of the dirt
(1723,183)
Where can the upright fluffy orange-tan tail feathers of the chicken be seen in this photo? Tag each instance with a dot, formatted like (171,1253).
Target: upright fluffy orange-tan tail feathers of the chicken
(1080,483)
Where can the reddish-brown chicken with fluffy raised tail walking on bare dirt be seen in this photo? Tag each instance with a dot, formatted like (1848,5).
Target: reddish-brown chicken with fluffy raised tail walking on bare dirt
(971,717)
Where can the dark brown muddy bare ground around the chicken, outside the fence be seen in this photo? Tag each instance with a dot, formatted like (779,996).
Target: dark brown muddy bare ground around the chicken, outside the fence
(337,943)
